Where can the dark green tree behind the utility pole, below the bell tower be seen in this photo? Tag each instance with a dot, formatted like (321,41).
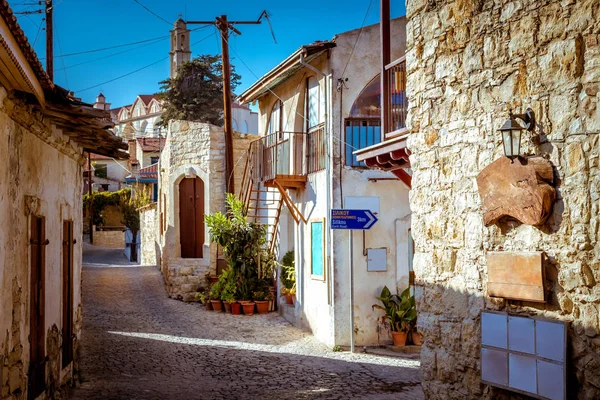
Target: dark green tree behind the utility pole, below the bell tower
(196,94)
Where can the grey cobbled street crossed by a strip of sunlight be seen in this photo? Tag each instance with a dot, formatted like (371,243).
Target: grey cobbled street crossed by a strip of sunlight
(139,344)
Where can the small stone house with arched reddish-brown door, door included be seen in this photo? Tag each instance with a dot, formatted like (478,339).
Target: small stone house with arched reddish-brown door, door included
(191,174)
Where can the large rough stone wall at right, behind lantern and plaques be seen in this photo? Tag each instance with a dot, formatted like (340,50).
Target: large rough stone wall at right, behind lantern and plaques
(468,63)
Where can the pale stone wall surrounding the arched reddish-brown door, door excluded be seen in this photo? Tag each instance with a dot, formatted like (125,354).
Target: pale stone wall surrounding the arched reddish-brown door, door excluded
(197,149)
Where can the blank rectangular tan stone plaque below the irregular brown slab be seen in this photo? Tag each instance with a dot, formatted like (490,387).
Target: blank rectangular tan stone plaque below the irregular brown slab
(517,276)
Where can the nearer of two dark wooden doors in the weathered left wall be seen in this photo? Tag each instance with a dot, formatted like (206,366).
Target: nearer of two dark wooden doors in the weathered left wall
(37,365)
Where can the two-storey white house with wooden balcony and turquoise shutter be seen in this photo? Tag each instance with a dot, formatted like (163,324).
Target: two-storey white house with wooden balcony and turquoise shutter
(324,99)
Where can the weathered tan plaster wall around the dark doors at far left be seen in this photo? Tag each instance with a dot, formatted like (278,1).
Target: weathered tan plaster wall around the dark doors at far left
(40,174)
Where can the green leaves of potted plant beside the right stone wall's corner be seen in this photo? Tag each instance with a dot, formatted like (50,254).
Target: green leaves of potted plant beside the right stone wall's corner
(400,312)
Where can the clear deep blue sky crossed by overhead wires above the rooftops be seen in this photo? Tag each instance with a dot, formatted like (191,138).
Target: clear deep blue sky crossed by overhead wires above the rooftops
(82,25)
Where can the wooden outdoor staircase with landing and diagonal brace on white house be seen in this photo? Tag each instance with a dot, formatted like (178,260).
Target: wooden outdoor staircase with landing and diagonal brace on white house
(264,192)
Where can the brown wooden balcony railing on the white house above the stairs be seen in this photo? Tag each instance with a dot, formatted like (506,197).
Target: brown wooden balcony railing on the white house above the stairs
(287,154)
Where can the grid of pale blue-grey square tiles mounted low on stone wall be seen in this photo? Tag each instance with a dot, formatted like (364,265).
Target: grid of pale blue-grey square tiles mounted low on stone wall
(524,355)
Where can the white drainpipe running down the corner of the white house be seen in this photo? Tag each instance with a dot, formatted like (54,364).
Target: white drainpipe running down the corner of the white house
(328,148)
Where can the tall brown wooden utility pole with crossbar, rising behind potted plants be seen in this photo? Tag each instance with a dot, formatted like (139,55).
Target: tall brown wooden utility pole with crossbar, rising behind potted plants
(223,25)
